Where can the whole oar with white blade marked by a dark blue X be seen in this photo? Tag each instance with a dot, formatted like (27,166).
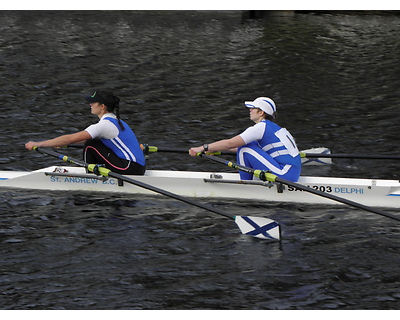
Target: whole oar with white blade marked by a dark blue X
(258,227)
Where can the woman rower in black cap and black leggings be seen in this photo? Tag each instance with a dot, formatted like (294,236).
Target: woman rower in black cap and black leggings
(110,142)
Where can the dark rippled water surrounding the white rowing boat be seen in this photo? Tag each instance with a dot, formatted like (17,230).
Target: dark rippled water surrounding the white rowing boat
(182,78)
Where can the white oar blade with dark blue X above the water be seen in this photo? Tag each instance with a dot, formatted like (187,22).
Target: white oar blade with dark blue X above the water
(259,227)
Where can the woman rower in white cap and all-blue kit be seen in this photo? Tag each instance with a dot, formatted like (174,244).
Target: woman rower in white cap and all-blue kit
(264,146)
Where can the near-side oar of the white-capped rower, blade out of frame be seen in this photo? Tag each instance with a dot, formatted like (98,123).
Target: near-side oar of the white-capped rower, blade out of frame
(267,176)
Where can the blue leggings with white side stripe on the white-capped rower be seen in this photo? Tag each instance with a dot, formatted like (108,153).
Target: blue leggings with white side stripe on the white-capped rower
(252,156)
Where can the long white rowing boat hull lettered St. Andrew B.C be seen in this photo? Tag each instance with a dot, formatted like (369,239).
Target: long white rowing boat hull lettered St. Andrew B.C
(378,193)
